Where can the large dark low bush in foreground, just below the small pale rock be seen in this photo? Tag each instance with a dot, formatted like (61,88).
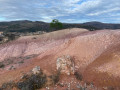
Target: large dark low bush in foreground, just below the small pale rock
(33,82)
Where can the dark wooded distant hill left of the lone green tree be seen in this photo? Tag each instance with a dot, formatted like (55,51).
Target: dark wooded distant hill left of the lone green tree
(23,26)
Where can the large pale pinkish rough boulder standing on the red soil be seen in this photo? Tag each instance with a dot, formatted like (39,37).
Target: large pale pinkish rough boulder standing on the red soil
(66,65)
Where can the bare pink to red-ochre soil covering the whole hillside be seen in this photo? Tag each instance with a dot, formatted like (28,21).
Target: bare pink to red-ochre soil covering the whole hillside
(96,55)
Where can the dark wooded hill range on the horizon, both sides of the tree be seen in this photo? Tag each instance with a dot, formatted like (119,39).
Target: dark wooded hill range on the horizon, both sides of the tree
(30,26)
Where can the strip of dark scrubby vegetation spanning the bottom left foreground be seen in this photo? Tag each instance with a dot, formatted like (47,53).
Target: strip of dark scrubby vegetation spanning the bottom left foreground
(32,81)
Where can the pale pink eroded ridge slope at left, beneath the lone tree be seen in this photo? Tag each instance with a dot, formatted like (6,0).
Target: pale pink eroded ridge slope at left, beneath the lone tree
(28,45)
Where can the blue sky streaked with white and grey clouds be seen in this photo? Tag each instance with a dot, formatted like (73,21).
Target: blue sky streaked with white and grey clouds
(67,11)
